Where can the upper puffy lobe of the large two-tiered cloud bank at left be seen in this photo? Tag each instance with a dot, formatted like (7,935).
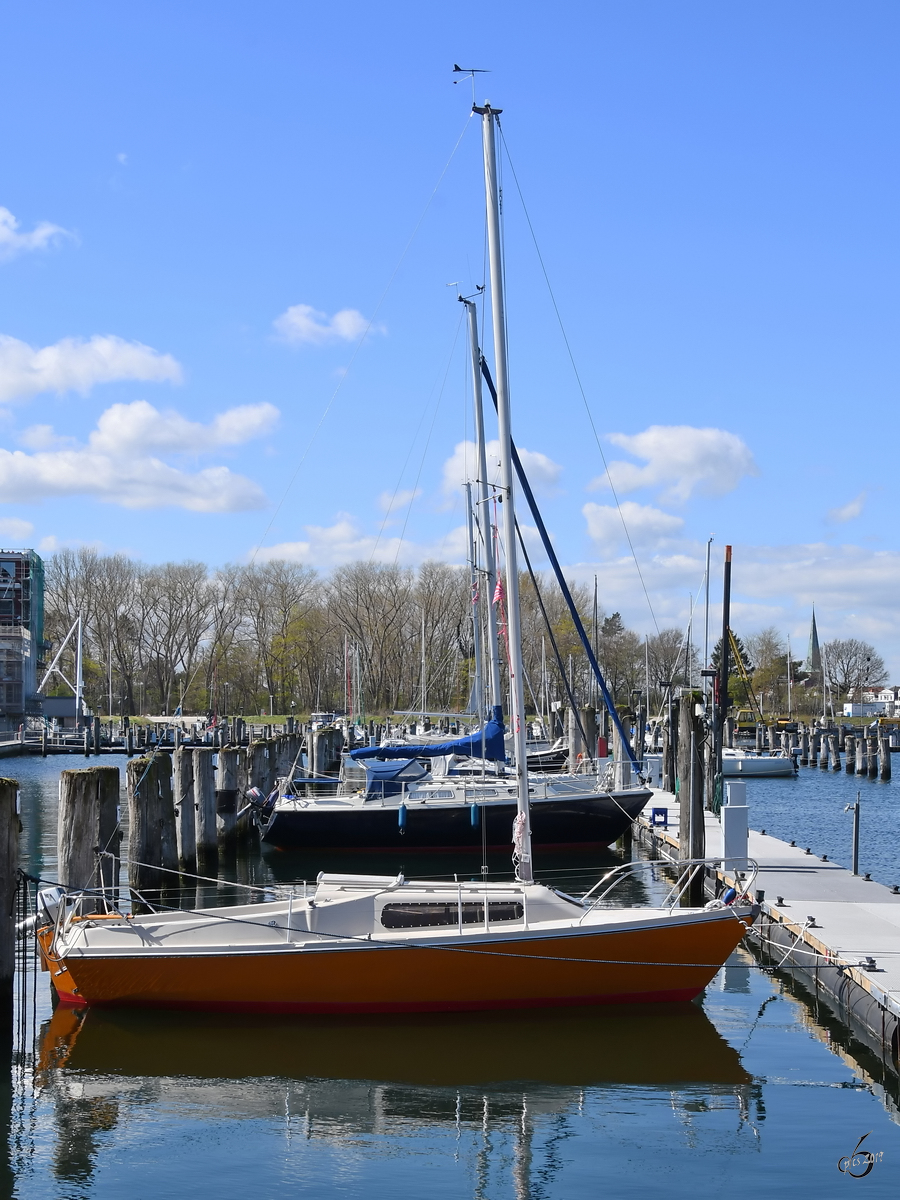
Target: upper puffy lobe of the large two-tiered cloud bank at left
(139,428)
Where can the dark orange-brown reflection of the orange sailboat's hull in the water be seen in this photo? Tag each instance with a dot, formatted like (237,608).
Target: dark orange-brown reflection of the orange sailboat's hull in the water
(668,1046)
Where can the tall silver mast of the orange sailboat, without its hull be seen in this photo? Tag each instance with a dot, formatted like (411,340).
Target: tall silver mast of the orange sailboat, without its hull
(523,830)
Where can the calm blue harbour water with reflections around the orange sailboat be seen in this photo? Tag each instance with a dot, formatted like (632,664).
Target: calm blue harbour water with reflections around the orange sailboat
(752,1089)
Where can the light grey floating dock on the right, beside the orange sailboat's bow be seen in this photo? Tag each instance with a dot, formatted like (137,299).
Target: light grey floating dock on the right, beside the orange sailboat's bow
(838,932)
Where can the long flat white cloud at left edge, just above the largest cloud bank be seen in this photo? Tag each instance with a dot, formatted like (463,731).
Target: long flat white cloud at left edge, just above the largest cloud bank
(77,365)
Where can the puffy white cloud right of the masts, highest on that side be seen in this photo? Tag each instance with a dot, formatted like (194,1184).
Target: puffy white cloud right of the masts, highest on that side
(681,460)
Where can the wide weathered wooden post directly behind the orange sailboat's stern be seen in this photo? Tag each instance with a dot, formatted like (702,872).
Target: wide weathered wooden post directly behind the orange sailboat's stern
(88,826)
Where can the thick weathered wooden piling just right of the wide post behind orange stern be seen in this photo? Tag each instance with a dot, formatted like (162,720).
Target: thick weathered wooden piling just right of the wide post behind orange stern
(153,842)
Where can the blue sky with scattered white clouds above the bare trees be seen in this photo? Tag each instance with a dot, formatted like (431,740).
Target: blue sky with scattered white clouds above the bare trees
(207,205)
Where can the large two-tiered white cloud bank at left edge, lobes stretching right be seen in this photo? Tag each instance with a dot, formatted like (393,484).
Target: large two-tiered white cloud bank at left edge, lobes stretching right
(121,464)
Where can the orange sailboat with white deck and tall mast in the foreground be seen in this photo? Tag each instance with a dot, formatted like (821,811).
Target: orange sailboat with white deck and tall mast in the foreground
(374,944)
